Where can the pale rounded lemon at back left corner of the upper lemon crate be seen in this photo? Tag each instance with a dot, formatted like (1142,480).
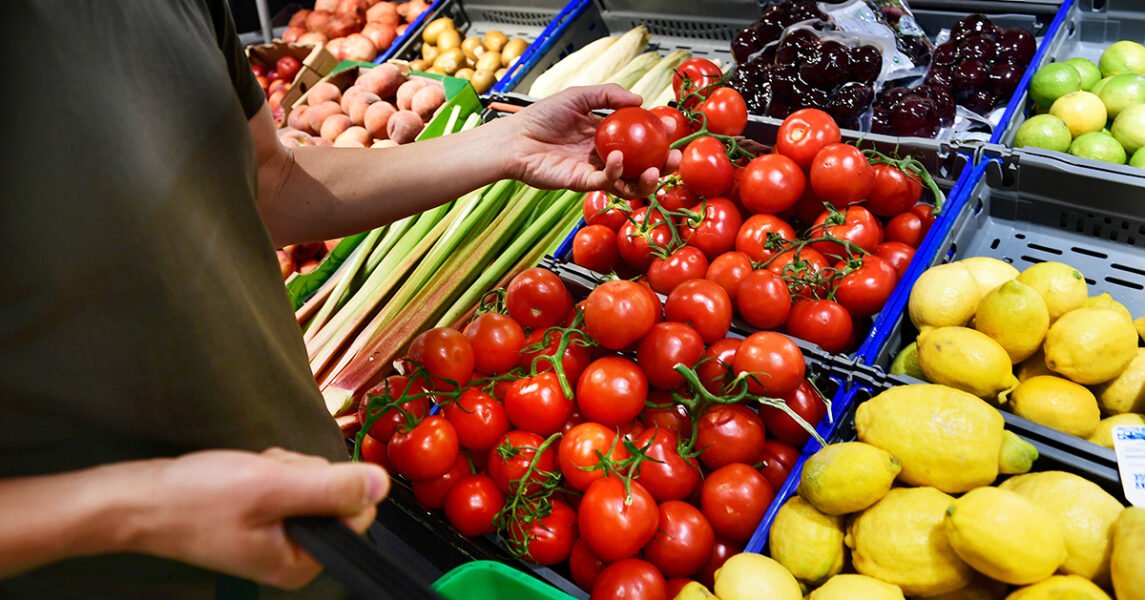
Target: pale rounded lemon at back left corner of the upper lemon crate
(946,295)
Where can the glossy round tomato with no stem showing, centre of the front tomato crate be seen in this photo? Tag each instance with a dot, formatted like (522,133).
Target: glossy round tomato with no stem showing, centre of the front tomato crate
(612,391)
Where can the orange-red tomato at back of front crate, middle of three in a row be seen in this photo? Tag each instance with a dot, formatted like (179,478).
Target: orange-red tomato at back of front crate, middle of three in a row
(620,313)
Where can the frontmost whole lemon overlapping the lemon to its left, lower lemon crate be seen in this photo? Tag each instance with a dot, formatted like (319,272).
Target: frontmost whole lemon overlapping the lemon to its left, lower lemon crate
(1005,536)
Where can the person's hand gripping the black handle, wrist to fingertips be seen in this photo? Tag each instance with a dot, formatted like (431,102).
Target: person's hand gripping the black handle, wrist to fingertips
(224,510)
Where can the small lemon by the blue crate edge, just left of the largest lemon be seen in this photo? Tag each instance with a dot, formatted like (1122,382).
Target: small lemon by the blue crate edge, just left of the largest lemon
(848,478)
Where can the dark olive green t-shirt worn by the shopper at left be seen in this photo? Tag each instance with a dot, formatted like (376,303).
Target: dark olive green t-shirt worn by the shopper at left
(143,313)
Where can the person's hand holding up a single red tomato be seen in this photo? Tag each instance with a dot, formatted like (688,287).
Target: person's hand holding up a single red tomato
(552,145)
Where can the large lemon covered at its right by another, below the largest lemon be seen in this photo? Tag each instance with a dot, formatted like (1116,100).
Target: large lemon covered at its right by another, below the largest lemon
(902,541)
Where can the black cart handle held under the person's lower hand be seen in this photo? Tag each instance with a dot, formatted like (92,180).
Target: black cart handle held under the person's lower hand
(362,569)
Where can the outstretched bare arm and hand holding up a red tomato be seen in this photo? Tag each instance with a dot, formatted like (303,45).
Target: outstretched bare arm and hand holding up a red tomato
(322,193)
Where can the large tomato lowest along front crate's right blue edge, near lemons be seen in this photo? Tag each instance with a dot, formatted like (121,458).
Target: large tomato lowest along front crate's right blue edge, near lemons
(735,499)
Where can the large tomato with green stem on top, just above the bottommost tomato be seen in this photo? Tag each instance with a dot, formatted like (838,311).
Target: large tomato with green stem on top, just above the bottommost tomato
(614,523)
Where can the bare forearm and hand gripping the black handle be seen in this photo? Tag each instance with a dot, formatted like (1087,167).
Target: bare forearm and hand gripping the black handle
(157,508)
